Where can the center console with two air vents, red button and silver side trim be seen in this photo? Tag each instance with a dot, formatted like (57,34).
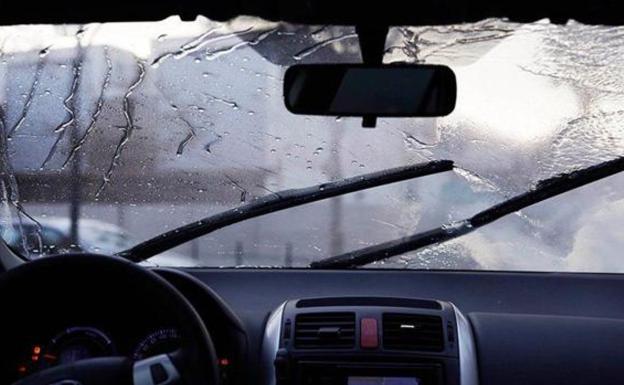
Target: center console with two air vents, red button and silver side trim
(368,341)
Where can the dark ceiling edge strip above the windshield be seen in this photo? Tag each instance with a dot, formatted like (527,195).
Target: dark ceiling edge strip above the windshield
(340,12)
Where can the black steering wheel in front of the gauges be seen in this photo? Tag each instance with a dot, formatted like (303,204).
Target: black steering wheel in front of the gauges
(74,276)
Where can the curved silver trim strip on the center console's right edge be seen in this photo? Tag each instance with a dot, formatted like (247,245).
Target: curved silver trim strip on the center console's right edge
(468,370)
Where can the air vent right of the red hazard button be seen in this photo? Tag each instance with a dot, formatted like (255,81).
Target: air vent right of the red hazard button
(413,332)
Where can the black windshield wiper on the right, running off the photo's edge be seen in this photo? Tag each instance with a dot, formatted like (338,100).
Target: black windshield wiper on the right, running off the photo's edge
(543,190)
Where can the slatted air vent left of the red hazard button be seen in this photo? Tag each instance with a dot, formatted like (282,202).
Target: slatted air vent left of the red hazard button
(325,331)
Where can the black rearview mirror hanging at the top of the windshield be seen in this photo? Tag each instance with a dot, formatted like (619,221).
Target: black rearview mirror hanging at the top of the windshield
(363,90)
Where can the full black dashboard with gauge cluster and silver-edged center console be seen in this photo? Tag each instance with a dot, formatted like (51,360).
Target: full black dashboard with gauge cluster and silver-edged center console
(349,327)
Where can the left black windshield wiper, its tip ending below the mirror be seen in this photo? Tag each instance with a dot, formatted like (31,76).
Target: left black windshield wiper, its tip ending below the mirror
(279,201)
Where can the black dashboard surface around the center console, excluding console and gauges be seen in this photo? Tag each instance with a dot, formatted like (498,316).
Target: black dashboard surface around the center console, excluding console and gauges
(528,328)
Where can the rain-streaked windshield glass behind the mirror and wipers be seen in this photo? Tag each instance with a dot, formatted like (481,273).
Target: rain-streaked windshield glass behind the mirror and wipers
(114,133)
